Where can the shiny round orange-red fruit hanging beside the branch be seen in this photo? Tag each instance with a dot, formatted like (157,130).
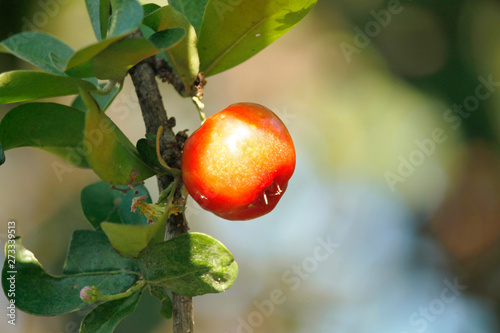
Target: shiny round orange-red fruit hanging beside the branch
(238,163)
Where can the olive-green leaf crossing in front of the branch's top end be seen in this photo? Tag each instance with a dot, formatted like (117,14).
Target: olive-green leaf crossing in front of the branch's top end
(115,61)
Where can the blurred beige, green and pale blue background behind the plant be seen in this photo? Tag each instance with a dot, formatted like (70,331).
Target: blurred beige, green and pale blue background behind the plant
(391,222)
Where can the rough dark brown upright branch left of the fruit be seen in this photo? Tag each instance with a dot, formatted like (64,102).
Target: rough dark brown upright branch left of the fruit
(155,115)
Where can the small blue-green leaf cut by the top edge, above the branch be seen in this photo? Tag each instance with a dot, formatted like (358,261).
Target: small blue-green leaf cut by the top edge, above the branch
(126,17)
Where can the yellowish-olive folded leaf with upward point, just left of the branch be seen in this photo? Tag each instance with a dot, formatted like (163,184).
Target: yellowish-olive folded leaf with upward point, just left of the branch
(110,153)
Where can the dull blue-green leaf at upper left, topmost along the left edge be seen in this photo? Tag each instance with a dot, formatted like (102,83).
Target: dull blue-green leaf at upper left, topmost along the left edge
(39,49)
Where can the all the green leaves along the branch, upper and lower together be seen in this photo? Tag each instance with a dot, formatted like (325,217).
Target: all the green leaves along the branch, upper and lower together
(193,36)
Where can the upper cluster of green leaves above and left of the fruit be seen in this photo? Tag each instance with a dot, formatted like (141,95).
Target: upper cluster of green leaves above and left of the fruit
(193,36)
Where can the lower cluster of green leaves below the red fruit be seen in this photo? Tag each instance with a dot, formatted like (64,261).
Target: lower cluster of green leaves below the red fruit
(122,250)
